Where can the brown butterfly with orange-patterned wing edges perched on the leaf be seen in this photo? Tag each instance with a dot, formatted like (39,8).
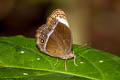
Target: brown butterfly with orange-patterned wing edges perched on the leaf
(55,38)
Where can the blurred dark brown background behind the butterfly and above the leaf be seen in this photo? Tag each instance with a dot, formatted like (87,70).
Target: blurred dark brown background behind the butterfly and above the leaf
(101,19)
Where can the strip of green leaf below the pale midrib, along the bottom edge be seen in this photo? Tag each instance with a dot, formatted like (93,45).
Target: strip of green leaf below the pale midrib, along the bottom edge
(25,74)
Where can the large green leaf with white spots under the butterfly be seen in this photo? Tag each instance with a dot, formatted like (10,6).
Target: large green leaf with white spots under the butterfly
(21,54)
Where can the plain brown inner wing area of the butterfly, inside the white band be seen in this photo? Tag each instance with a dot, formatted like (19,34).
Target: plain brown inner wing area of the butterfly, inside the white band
(60,41)
